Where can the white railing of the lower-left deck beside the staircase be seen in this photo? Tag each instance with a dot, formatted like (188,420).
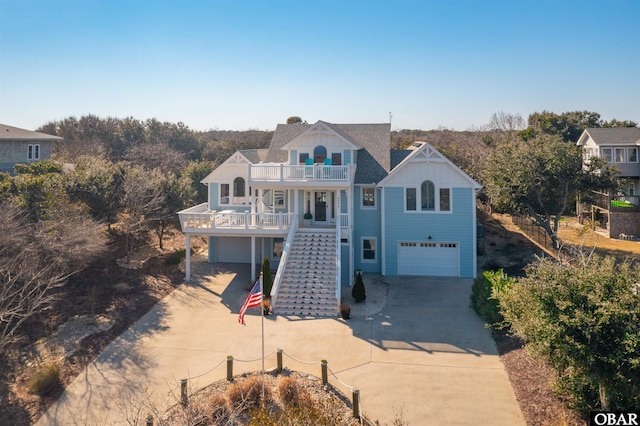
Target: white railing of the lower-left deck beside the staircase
(200,219)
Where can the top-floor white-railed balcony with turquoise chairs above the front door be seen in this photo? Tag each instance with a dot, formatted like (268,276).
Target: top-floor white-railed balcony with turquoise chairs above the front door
(302,174)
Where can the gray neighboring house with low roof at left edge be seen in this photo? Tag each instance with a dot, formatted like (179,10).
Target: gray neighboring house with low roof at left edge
(20,146)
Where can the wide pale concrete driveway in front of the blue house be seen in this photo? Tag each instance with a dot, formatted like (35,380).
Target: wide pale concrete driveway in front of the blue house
(425,355)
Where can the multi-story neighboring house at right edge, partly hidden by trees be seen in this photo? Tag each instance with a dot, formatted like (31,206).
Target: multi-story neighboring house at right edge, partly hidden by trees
(618,214)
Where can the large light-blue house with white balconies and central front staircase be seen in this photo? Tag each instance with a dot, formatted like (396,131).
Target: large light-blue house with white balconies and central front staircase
(368,208)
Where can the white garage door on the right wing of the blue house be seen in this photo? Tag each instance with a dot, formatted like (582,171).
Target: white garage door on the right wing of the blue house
(440,259)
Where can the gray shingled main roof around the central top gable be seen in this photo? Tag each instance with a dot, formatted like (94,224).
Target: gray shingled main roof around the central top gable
(374,159)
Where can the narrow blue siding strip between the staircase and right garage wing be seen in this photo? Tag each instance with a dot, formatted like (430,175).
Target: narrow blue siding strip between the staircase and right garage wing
(366,224)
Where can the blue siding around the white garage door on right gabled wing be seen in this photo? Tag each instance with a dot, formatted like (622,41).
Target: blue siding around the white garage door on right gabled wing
(456,226)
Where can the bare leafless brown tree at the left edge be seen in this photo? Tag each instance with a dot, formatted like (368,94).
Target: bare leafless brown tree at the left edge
(36,259)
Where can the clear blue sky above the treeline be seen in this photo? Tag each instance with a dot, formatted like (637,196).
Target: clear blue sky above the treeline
(247,64)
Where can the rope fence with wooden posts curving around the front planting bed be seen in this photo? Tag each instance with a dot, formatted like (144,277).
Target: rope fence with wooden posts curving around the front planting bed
(229,360)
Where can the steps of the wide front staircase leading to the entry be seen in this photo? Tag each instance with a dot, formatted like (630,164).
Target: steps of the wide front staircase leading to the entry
(308,286)
